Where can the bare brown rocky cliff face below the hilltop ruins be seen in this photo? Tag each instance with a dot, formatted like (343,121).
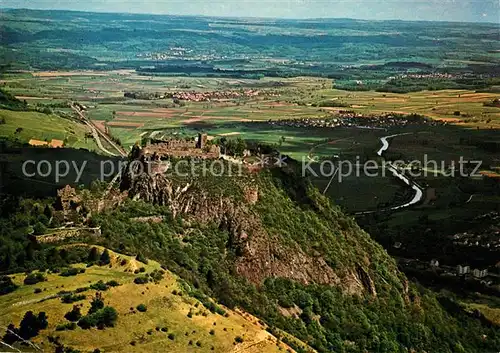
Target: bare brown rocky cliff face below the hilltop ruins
(260,253)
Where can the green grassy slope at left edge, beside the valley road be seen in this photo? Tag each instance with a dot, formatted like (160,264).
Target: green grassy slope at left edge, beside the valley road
(44,127)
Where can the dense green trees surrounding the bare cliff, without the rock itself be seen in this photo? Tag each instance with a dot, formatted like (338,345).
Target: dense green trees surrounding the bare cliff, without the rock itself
(203,255)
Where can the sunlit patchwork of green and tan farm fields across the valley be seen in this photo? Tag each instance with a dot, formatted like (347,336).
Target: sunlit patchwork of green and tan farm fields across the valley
(130,119)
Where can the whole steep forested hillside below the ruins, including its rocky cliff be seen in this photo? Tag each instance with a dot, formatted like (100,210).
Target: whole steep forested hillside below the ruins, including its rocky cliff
(268,243)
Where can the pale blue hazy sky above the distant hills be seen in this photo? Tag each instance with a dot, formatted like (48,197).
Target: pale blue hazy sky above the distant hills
(442,10)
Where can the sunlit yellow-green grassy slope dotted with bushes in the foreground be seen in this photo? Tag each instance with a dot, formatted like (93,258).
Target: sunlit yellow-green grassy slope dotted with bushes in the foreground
(164,310)
